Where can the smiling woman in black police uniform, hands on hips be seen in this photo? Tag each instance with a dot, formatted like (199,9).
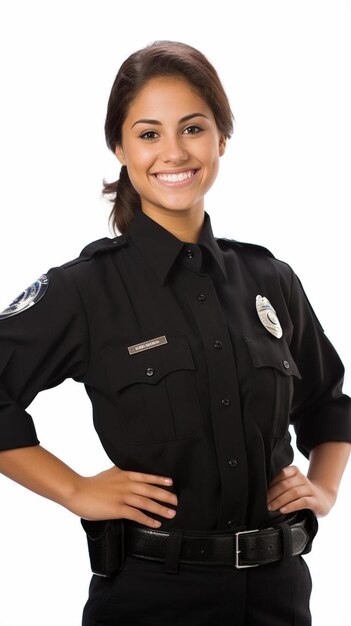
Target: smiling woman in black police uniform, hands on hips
(197,354)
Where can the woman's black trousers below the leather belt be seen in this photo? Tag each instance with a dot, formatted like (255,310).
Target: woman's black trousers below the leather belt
(143,594)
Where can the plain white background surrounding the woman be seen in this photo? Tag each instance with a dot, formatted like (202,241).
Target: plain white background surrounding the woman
(283,184)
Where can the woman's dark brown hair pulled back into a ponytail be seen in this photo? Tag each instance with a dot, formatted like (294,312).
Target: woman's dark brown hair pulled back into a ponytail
(162,58)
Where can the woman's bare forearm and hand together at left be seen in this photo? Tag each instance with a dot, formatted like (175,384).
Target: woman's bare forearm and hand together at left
(111,494)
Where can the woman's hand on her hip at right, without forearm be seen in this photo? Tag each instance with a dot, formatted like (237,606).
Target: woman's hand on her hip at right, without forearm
(292,491)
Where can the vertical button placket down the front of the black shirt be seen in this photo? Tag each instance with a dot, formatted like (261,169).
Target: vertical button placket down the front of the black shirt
(227,427)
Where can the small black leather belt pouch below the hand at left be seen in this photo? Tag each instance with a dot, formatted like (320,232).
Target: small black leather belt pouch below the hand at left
(106,546)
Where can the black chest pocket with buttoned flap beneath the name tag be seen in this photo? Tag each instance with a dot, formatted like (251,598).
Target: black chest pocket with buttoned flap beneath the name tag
(157,392)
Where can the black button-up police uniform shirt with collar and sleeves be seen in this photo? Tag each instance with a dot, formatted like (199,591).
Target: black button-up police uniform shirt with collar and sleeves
(207,394)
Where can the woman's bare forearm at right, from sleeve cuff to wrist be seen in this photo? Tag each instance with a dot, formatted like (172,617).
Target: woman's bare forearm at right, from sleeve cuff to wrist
(327,464)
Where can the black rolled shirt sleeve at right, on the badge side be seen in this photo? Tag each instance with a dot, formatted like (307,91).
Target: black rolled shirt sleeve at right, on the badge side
(321,412)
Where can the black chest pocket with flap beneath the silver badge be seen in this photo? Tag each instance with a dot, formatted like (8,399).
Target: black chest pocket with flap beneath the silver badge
(273,371)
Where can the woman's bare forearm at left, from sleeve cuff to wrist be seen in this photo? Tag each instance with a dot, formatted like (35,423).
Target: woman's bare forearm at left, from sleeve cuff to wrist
(40,471)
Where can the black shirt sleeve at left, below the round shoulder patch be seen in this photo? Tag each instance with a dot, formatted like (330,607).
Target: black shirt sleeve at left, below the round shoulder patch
(39,348)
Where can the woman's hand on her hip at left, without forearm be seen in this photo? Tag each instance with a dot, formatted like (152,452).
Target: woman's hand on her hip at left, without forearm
(117,493)
